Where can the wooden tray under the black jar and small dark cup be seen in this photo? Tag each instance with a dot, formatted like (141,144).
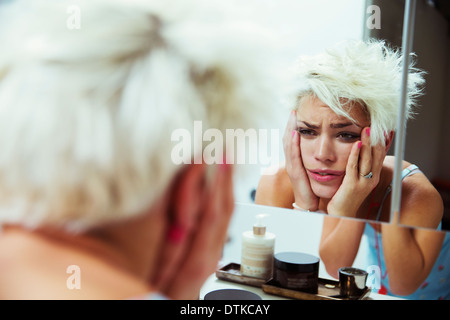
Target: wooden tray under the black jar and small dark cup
(327,290)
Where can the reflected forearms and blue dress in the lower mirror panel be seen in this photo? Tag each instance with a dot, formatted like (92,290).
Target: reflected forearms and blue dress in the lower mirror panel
(411,262)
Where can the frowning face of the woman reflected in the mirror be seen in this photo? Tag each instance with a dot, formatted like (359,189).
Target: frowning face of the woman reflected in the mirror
(325,143)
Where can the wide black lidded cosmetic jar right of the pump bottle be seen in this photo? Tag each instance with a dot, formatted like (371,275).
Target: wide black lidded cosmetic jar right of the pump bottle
(297,271)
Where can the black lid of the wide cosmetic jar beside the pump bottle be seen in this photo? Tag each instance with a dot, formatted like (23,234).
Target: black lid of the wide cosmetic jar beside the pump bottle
(296,262)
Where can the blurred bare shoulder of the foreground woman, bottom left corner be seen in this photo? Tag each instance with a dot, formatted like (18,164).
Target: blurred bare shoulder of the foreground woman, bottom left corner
(66,272)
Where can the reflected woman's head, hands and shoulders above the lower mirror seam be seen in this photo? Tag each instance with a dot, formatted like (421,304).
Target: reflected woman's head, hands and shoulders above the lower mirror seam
(338,135)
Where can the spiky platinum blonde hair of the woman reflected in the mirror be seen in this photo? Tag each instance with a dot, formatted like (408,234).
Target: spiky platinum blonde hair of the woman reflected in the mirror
(368,73)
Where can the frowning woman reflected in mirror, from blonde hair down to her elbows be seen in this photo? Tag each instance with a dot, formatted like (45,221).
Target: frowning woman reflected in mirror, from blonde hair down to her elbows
(336,143)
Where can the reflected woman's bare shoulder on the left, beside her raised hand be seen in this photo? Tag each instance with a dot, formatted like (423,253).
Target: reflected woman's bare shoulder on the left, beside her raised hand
(274,188)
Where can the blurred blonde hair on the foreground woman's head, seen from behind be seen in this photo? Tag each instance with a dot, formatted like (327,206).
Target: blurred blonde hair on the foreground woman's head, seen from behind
(86,115)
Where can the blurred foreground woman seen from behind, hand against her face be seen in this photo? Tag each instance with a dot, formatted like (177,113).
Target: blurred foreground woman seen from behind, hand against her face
(92,204)
